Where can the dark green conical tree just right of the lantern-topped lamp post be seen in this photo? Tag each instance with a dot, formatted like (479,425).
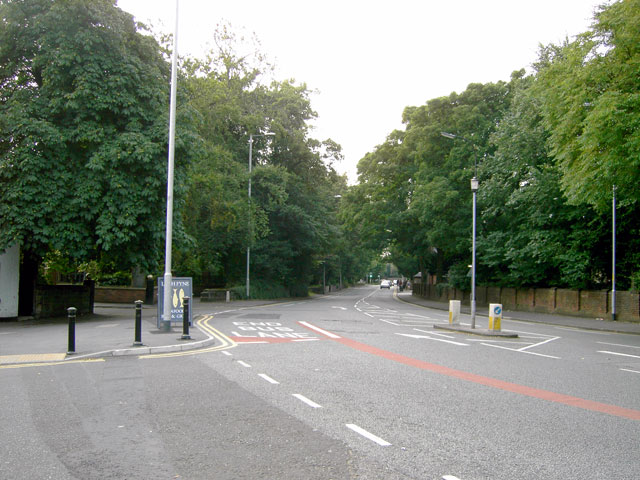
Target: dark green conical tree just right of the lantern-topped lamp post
(529,235)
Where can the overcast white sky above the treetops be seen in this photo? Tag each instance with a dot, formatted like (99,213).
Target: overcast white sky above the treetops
(369,60)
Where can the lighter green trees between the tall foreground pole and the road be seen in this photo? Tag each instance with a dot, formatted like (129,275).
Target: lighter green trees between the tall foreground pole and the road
(292,220)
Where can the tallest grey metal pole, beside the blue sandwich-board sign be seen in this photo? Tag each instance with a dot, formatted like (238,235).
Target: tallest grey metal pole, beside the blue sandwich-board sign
(166,312)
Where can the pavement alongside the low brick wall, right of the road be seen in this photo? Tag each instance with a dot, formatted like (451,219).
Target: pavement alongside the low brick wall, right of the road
(482,316)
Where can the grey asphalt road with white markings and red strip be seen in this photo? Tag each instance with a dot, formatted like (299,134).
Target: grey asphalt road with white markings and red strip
(350,386)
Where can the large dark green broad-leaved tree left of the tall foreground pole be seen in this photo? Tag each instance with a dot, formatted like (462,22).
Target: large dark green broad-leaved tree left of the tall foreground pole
(83,120)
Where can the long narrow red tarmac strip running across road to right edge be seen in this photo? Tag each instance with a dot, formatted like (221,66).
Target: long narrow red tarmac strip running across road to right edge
(495,383)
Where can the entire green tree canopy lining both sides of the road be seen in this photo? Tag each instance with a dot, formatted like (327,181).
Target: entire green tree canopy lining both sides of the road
(83,146)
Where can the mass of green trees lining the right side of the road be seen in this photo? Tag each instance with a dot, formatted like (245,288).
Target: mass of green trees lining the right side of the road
(549,148)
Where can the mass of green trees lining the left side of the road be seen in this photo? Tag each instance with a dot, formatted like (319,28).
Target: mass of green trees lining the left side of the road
(84,103)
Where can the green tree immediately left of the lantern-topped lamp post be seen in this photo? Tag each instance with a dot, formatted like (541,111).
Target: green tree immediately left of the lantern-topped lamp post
(441,201)
